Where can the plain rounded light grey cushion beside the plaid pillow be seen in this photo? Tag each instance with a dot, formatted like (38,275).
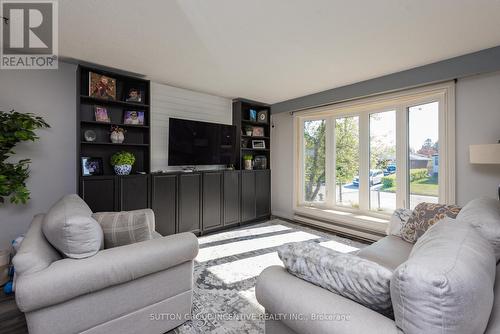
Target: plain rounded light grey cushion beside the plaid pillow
(70,228)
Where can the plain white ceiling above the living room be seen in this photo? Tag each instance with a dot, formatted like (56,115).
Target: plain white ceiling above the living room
(272,50)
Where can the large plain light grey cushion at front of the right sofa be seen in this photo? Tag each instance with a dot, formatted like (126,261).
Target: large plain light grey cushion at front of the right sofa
(446,286)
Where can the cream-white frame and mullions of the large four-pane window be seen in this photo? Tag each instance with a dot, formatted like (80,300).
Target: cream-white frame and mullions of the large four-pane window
(444,93)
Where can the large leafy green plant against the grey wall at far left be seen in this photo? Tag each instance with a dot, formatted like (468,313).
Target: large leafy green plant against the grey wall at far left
(16,127)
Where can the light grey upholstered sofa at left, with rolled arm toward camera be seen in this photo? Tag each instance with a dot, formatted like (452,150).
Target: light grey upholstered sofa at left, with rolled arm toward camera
(129,289)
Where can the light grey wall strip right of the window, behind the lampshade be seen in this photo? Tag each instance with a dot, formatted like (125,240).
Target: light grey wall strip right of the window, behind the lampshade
(478,122)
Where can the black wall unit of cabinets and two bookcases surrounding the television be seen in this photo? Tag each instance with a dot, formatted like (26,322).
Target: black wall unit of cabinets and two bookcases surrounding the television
(198,202)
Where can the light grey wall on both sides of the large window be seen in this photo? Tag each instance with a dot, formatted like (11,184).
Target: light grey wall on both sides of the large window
(477,122)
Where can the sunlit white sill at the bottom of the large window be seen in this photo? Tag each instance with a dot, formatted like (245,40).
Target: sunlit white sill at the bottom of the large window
(364,221)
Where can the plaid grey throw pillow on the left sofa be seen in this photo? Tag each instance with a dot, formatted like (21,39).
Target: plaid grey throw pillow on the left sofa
(126,227)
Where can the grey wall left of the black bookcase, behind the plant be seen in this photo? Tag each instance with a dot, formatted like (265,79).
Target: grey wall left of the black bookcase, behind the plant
(52,95)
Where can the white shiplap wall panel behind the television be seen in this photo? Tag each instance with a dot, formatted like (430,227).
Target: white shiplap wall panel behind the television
(168,101)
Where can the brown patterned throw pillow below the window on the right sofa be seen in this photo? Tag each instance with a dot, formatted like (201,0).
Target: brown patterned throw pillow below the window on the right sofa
(424,216)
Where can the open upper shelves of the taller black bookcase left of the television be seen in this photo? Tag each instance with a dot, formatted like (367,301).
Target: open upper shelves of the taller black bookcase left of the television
(137,137)
